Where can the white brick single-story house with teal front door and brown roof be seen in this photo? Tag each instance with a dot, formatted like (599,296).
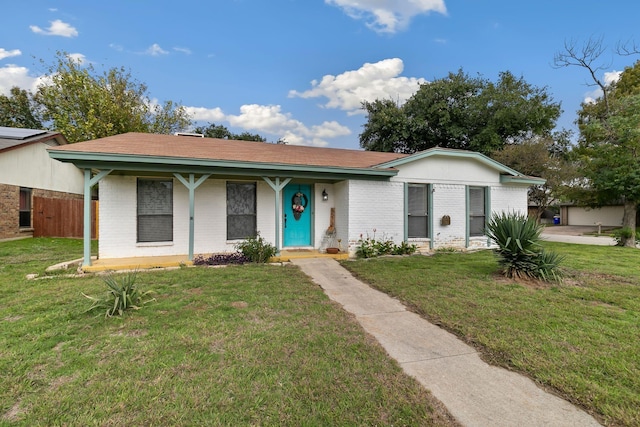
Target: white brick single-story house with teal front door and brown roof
(173,195)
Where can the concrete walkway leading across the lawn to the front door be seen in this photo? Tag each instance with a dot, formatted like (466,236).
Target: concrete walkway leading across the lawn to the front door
(475,393)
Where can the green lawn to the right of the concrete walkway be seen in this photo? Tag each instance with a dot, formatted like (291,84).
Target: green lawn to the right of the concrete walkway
(580,338)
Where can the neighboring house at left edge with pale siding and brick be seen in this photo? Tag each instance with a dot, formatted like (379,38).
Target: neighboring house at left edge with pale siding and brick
(27,172)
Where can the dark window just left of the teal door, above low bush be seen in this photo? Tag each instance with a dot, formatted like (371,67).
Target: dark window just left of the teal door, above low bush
(241,210)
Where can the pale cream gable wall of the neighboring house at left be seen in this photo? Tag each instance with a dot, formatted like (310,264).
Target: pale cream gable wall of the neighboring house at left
(30,166)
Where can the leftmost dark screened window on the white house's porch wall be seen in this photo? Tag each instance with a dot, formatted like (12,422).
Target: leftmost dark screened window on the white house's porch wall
(155,210)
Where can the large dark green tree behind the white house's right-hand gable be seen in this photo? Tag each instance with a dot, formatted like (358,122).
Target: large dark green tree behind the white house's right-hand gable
(462,112)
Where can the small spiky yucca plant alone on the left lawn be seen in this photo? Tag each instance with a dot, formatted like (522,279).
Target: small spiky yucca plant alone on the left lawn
(122,294)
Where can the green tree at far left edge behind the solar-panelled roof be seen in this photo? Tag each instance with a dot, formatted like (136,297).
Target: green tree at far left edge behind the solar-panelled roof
(19,110)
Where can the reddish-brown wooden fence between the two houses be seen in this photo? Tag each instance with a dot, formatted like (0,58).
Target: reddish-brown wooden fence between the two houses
(61,217)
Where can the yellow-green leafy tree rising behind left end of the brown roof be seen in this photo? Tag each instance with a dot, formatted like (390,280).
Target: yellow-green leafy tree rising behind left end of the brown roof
(84,105)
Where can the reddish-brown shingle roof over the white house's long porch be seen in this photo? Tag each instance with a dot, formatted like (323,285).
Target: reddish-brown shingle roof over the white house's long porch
(189,147)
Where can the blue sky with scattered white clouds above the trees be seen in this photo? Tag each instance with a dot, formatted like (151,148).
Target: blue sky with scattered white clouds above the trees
(299,69)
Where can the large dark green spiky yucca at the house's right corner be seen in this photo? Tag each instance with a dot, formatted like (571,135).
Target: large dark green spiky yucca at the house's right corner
(519,252)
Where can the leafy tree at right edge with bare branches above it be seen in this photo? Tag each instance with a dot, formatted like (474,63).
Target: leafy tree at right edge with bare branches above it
(608,151)
